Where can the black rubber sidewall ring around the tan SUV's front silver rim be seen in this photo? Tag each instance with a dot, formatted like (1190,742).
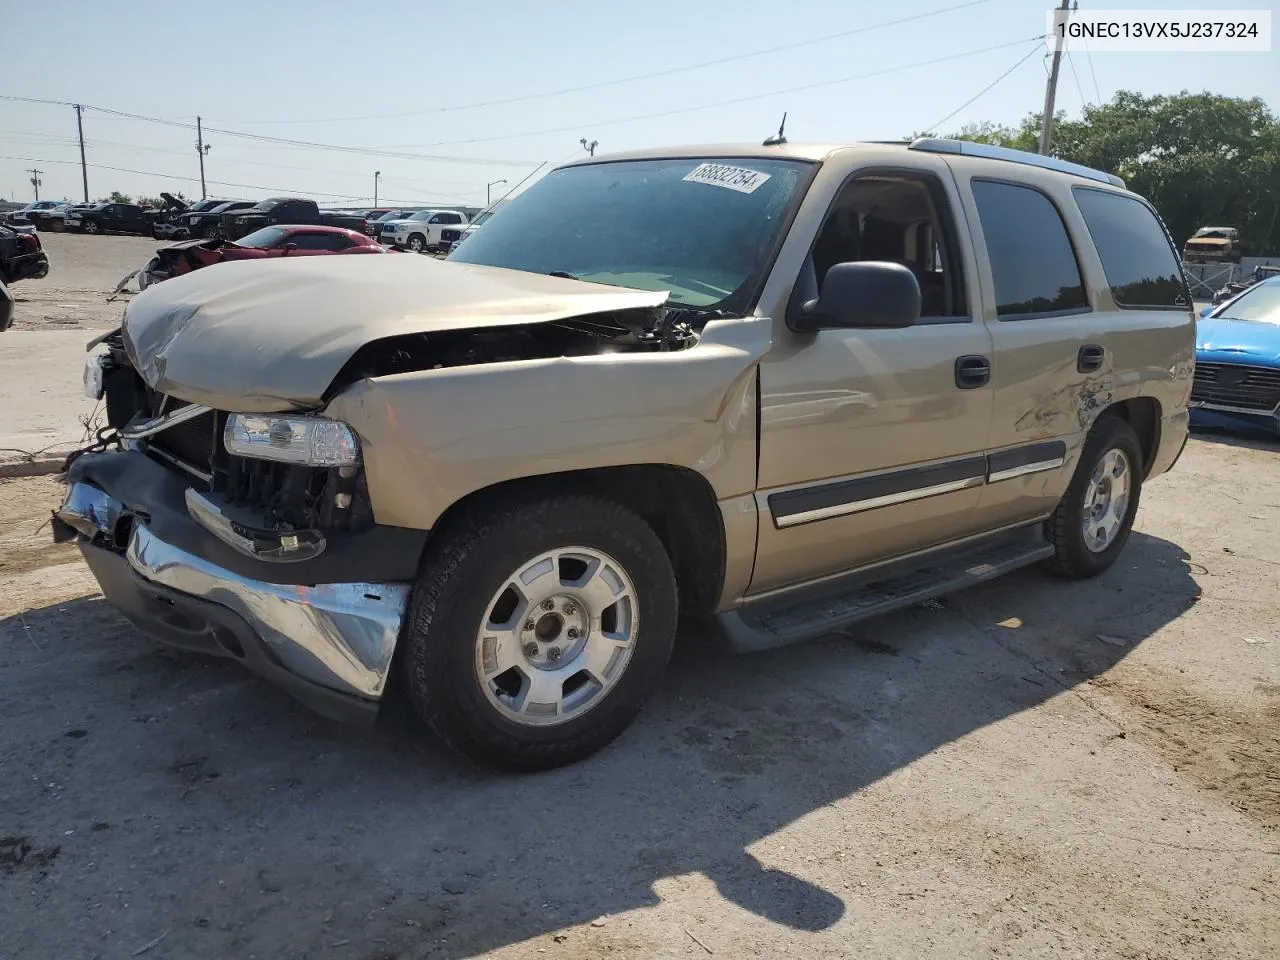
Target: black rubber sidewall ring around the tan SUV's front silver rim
(446,651)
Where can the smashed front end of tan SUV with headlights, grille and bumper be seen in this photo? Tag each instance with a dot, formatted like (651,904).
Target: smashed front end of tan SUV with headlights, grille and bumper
(264,554)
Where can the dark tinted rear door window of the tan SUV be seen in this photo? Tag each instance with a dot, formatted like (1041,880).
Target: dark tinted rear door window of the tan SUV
(1032,262)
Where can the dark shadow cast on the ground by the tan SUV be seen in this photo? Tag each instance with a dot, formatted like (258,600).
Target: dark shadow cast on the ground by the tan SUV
(268,830)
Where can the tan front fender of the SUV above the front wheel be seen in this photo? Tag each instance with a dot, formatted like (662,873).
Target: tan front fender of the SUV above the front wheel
(433,437)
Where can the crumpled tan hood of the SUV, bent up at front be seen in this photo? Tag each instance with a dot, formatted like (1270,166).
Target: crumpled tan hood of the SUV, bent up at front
(262,336)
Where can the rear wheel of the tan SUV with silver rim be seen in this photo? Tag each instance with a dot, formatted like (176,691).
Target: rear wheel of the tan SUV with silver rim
(1080,552)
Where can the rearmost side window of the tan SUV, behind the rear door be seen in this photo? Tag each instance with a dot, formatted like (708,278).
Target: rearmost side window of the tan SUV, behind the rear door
(1141,266)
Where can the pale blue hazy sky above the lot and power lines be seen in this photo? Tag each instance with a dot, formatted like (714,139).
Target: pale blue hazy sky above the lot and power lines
(460,97)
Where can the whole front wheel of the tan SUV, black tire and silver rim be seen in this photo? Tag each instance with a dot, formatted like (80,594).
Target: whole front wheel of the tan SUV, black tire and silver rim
(469,580)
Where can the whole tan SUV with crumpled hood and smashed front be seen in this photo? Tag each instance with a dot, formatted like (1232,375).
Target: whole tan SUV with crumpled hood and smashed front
(770,390)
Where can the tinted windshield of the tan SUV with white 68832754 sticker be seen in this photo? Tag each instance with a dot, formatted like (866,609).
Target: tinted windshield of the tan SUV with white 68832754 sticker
(701,230)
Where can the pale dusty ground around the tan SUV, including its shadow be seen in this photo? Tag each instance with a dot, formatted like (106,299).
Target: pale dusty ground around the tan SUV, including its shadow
(1030,770)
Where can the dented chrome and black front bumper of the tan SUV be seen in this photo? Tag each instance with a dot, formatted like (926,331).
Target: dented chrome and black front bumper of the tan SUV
(330,644)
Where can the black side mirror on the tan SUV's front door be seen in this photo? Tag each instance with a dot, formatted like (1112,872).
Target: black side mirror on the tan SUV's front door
(863,295)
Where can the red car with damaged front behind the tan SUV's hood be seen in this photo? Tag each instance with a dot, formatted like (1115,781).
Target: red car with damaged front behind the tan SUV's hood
(269,243)
